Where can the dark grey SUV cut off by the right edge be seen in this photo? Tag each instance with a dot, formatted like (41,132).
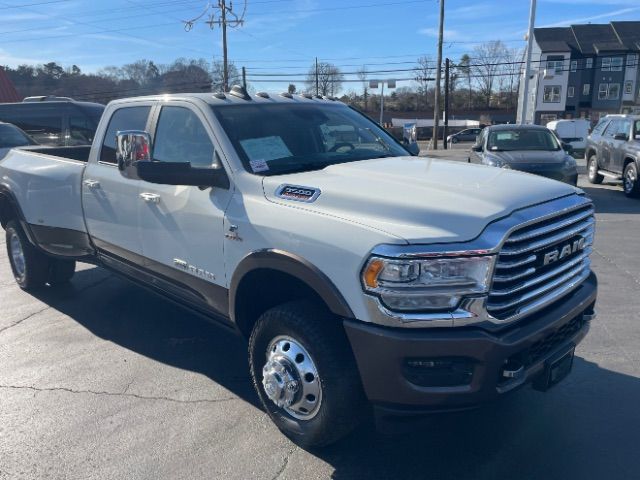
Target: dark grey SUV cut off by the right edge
(613,151)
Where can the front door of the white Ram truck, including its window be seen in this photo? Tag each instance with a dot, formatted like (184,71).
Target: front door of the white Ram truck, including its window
(182,227)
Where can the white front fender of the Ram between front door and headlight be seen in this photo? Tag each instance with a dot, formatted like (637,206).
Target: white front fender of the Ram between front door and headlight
(335,247)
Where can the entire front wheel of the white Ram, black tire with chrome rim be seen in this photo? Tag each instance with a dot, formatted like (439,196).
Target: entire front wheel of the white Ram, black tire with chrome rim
(305,374)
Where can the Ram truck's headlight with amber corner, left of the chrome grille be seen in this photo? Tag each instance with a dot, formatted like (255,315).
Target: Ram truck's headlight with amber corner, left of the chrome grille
(427,284)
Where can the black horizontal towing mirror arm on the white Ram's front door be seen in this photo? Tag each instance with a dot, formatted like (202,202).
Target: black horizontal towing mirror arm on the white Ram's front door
(181,173)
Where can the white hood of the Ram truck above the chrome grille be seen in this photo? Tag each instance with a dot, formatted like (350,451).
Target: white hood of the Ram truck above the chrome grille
(419,199)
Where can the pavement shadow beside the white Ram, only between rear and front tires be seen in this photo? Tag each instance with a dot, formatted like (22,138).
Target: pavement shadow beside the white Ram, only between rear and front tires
(143,322)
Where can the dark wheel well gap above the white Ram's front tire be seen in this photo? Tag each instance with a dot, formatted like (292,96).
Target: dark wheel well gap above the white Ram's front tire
(262,289)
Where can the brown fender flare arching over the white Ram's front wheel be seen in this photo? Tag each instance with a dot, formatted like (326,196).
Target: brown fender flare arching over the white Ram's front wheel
(295,266)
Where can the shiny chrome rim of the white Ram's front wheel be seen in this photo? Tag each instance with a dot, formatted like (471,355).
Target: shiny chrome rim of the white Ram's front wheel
(290,378)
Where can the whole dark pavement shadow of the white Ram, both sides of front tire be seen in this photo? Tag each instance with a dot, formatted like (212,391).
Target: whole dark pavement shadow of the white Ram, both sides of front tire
(586,427)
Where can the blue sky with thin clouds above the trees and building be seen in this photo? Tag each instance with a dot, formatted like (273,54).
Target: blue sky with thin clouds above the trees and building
(282,36)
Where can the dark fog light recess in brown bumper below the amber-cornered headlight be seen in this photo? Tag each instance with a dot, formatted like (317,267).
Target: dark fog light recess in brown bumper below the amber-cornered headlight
(438,372)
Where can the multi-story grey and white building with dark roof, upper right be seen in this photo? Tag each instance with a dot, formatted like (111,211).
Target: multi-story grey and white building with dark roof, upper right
(584,71)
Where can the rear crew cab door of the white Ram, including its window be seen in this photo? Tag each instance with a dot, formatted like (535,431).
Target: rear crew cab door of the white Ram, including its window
(110,200)
